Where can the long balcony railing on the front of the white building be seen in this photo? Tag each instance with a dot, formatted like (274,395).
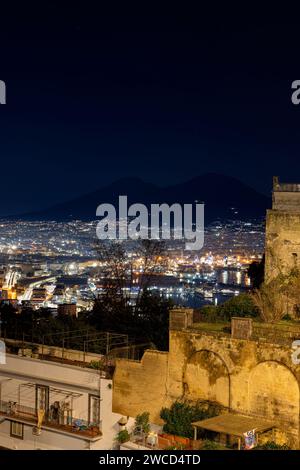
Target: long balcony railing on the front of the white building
(72,425)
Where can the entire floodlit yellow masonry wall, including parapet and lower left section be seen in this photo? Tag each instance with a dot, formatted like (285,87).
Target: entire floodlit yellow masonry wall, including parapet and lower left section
(248,371)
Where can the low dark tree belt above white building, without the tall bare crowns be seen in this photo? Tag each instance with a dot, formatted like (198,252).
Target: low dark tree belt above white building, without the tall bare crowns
(148,324)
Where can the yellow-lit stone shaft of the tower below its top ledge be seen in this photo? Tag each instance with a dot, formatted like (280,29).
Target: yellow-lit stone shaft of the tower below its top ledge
(282,247)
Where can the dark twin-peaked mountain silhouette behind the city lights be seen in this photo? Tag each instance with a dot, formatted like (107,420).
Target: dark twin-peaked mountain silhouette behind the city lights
(225,197)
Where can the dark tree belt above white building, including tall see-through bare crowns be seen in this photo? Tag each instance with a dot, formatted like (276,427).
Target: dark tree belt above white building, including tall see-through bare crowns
(146,322)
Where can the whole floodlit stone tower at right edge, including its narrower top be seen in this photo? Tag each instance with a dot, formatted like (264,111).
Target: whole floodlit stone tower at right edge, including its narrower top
(282,248)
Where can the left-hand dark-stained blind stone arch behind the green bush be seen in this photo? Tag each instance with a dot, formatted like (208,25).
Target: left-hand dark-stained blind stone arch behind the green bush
(206,377)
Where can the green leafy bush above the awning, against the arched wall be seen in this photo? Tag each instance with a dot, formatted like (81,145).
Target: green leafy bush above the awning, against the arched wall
(180,415)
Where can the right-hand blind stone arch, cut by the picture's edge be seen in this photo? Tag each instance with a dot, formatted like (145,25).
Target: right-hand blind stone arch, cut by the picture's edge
(273,393)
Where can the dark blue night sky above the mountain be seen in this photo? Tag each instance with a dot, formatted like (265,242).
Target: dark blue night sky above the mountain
(93,96)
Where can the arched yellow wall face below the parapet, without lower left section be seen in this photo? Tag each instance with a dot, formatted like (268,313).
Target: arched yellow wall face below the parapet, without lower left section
(248,377)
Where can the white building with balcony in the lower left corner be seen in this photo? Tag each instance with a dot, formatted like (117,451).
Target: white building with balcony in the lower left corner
(74,405)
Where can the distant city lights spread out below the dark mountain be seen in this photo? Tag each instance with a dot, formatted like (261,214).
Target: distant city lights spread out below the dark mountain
(47,264)
